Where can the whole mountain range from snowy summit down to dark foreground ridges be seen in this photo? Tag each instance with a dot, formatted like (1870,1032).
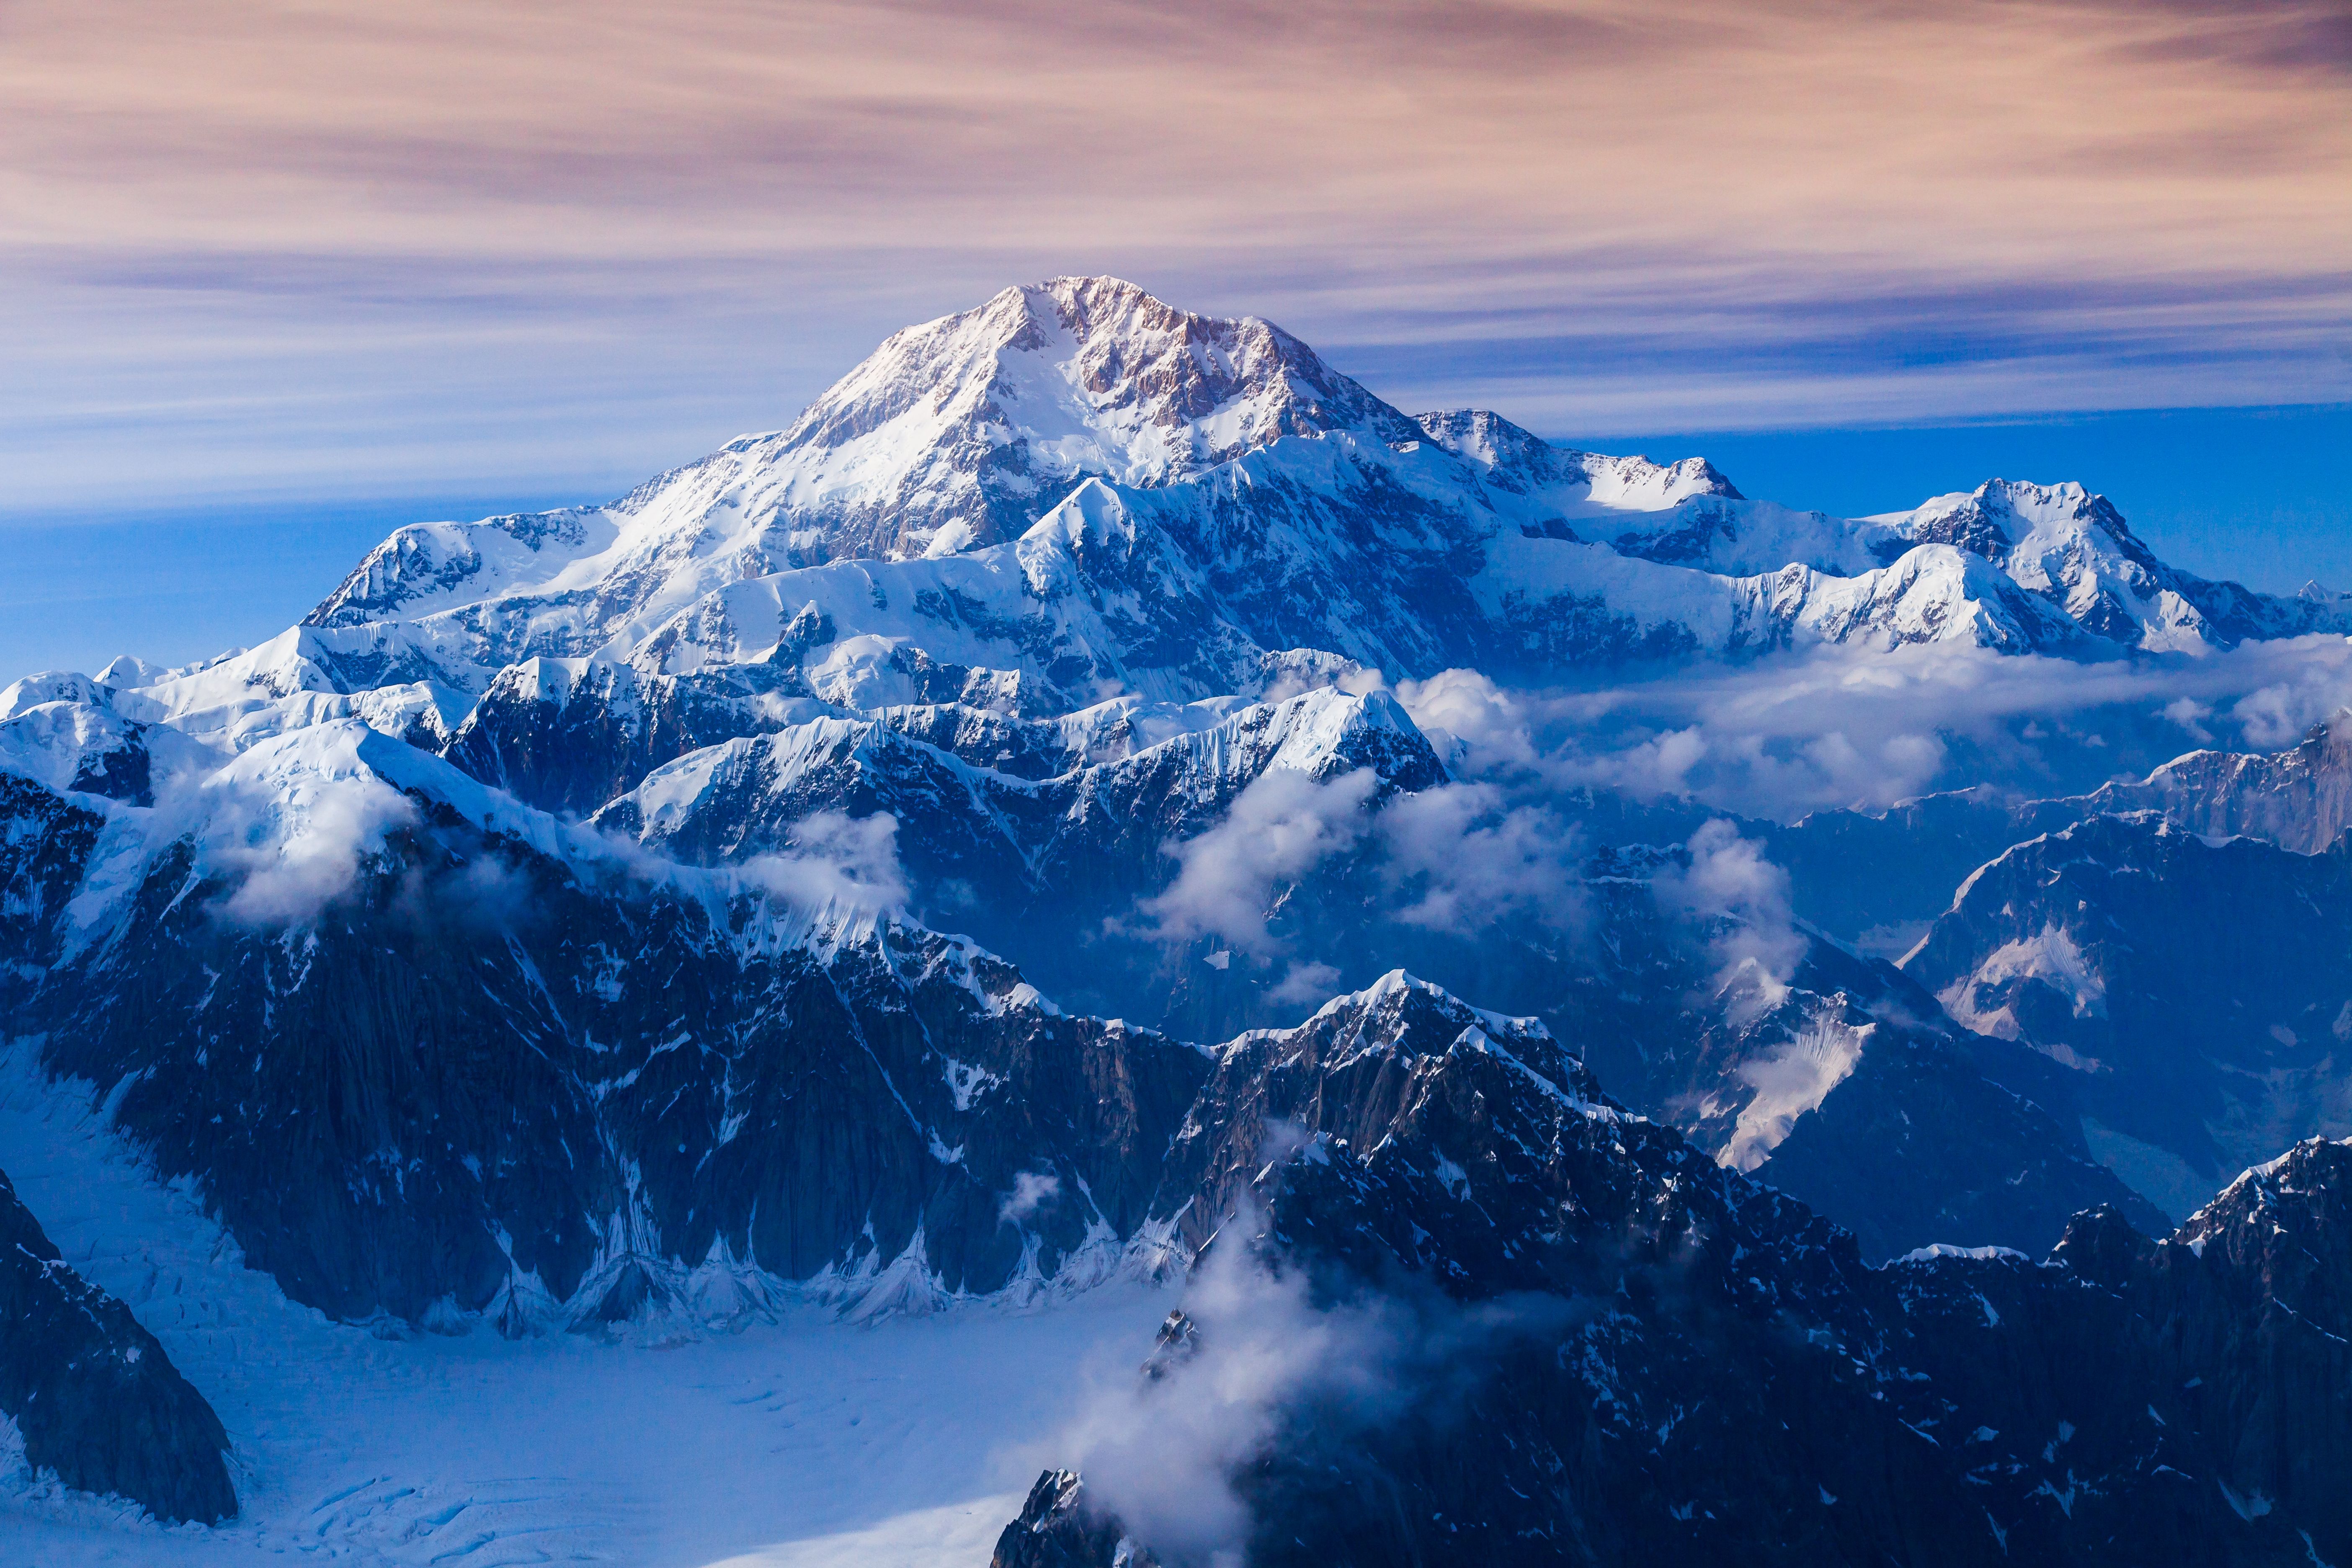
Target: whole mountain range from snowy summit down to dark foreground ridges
(888,864)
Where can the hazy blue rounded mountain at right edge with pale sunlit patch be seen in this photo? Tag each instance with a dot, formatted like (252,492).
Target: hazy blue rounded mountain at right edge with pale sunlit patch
(2193,986)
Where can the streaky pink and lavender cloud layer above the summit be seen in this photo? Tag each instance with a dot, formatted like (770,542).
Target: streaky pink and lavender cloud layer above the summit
(288,243)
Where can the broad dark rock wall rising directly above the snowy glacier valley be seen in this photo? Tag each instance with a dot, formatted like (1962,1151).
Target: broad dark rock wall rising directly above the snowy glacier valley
(486,1076)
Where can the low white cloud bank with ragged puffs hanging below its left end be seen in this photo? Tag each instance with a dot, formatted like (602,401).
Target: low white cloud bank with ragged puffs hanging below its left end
(1544,779)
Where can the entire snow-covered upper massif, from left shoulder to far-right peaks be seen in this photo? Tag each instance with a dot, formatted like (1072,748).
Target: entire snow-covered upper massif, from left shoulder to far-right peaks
(1078,492)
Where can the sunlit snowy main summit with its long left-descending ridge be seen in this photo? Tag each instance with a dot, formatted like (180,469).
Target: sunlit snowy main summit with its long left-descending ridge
(951,436)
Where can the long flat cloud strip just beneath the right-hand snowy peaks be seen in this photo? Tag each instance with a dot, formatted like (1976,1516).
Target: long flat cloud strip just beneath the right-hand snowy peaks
(1862,728)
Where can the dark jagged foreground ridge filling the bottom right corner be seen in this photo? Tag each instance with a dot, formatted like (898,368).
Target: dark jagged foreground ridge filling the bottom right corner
(1673,1365)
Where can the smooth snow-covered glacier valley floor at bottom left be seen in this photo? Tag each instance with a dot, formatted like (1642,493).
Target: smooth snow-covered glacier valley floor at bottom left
(791,1445)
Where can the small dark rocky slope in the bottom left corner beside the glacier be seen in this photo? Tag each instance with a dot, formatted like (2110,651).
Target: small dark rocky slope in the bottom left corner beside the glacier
(93,1393)
